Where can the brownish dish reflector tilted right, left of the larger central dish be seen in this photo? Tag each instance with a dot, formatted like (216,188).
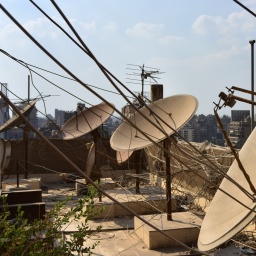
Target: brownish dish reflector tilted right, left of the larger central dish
(86,121)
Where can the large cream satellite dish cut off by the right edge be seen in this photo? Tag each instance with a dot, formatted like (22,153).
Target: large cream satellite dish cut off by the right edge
(225,216)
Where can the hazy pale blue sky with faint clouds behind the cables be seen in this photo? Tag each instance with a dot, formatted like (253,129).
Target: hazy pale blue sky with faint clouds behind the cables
(202,46)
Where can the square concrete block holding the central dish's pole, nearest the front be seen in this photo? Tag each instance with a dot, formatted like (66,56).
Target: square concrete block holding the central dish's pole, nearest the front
(184,227)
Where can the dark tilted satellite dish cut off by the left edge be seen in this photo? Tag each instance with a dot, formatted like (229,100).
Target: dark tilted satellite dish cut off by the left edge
(16,120)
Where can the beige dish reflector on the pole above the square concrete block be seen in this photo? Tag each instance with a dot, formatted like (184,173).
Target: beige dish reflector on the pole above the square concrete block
(174,110)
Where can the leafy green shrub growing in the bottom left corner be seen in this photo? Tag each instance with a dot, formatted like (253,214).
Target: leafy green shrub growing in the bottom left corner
(46,237)
